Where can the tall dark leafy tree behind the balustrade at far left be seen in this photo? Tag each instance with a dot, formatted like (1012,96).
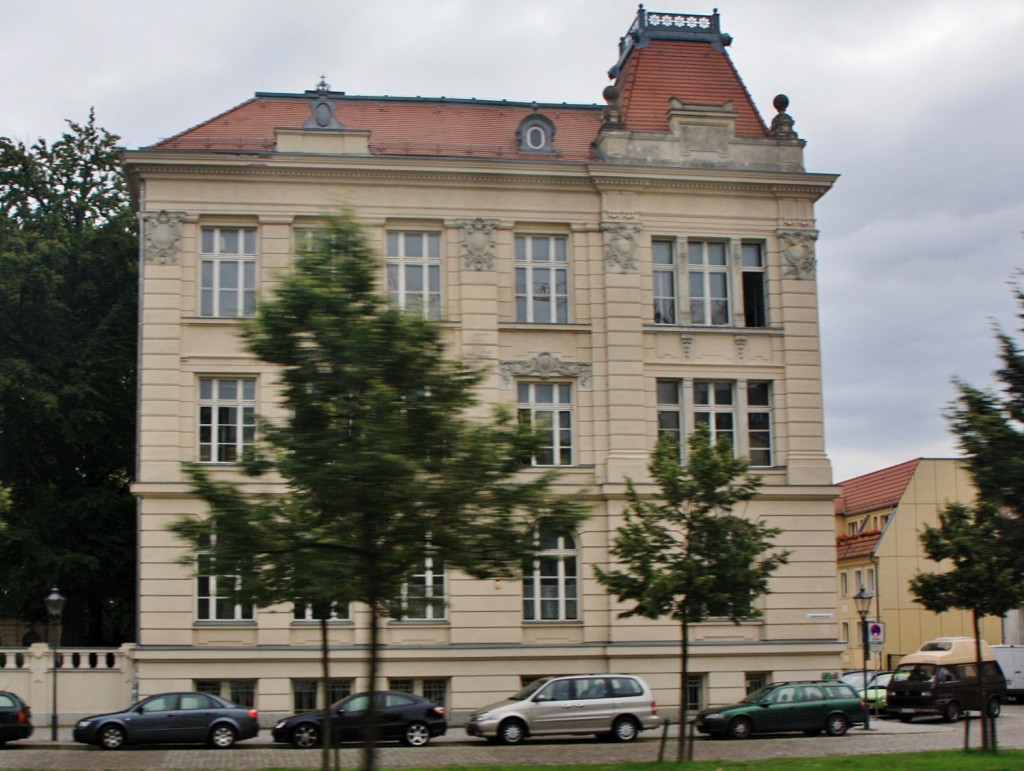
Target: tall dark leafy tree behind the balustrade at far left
(68,332)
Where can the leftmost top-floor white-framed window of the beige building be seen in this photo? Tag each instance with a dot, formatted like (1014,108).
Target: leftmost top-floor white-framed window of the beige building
(228,272)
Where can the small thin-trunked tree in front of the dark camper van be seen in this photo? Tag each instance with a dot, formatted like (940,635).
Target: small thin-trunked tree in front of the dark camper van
(970,540)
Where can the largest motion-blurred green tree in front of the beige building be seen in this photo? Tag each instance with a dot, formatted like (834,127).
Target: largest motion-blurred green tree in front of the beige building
(381,460)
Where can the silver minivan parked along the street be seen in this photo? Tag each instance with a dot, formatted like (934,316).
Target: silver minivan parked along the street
(615,706)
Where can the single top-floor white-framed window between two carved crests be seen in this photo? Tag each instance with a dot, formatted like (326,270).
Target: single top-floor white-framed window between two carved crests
(542,279)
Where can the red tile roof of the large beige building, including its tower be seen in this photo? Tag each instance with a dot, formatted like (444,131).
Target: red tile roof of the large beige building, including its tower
(650,78)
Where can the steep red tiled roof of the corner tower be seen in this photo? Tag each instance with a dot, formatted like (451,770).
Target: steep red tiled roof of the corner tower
(691,71)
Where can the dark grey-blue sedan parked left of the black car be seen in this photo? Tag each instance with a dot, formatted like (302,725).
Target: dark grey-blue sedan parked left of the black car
(172,718)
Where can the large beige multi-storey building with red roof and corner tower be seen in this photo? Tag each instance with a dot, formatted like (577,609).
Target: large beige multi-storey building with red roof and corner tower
(621,271)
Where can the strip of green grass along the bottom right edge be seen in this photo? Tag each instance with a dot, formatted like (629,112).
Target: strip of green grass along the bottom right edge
(948,760)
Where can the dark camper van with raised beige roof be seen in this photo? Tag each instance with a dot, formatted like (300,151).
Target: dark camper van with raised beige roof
(943,679)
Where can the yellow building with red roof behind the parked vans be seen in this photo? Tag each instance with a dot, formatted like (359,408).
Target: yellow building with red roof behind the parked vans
(879,518)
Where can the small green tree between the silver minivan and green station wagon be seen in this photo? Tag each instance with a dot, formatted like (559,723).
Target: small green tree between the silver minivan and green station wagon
(685,554)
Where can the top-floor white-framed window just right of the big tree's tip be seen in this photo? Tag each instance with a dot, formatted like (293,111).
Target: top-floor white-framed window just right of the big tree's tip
(414,272)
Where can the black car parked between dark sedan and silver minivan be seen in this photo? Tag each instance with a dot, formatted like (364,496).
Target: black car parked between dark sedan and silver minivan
(402,717)
